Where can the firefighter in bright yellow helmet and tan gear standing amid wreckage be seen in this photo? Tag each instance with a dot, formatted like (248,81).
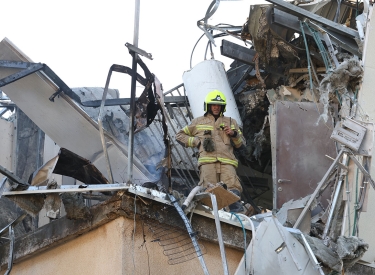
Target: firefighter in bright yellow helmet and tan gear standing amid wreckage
(215,135)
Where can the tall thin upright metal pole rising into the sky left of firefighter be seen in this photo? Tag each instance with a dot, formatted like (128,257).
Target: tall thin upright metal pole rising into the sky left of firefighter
(132,93)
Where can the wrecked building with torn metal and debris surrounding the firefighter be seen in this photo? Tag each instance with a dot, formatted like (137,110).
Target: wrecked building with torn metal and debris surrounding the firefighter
(93,183)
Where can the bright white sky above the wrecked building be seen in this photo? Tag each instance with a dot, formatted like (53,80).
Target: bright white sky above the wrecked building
(79,40)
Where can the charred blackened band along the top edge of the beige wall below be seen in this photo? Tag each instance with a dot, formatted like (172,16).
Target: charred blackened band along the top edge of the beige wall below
(64,229)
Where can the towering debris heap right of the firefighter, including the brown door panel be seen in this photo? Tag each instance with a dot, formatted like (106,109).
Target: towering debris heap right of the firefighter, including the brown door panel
(299,74)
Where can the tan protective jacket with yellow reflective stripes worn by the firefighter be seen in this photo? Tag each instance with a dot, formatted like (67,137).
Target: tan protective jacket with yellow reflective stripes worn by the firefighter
(205,126)
